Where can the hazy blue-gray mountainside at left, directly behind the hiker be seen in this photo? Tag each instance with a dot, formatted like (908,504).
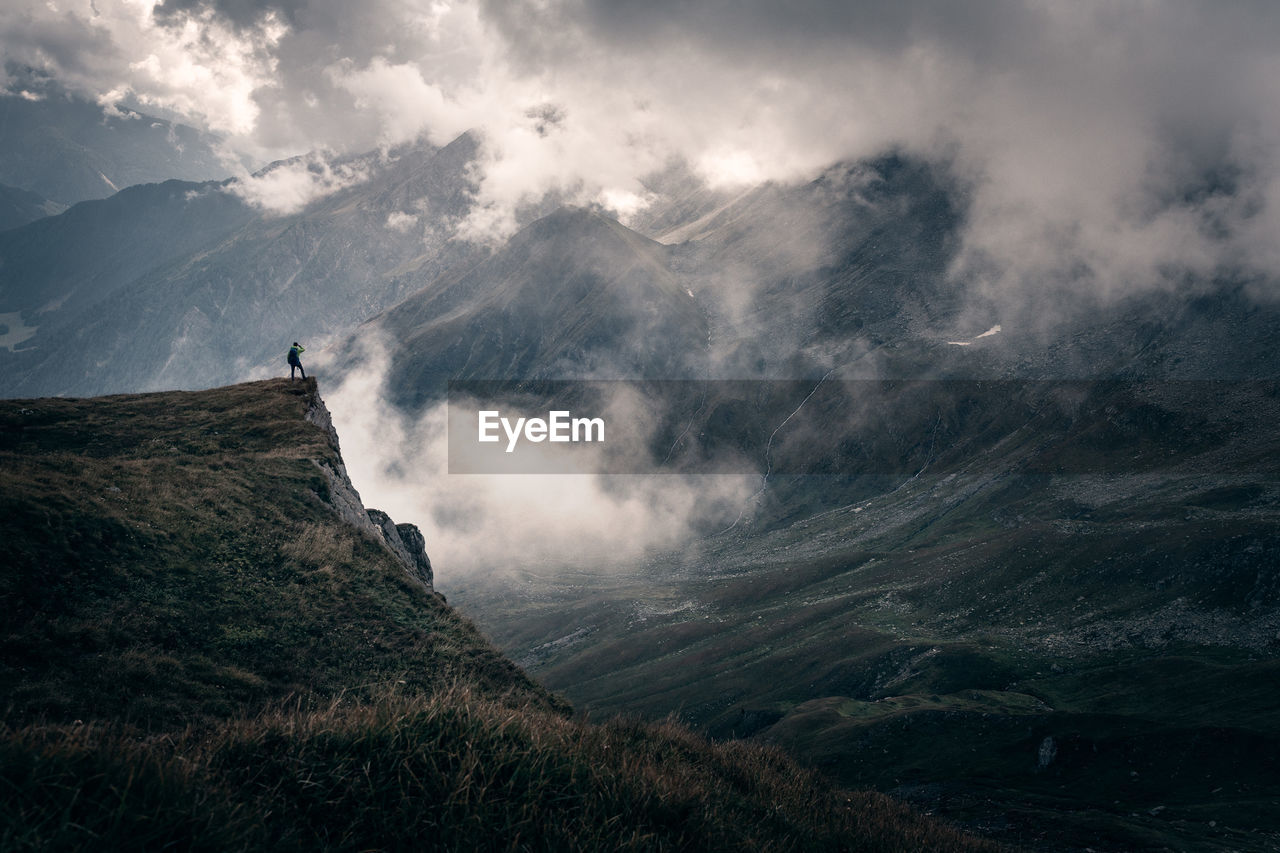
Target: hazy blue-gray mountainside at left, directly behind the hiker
(182,285)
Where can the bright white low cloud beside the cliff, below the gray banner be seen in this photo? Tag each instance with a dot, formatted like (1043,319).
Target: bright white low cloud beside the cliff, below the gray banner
(497,523)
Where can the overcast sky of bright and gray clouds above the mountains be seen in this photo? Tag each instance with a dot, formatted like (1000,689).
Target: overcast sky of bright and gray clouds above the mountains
(1137,140)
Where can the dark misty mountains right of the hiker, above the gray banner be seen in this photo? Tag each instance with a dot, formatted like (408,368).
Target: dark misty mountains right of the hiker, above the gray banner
(845,277)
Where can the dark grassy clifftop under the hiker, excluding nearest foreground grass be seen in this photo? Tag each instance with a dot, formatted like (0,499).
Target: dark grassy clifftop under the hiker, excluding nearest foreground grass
(175,556)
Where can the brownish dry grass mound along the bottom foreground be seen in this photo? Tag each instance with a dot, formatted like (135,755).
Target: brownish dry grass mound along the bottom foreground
(452,772)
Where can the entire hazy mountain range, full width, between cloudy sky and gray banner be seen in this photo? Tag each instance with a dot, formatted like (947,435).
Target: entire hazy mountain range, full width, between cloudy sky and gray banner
(185,285)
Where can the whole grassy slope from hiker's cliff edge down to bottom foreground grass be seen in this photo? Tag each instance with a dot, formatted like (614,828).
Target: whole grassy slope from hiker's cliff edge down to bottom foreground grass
(203,649)
